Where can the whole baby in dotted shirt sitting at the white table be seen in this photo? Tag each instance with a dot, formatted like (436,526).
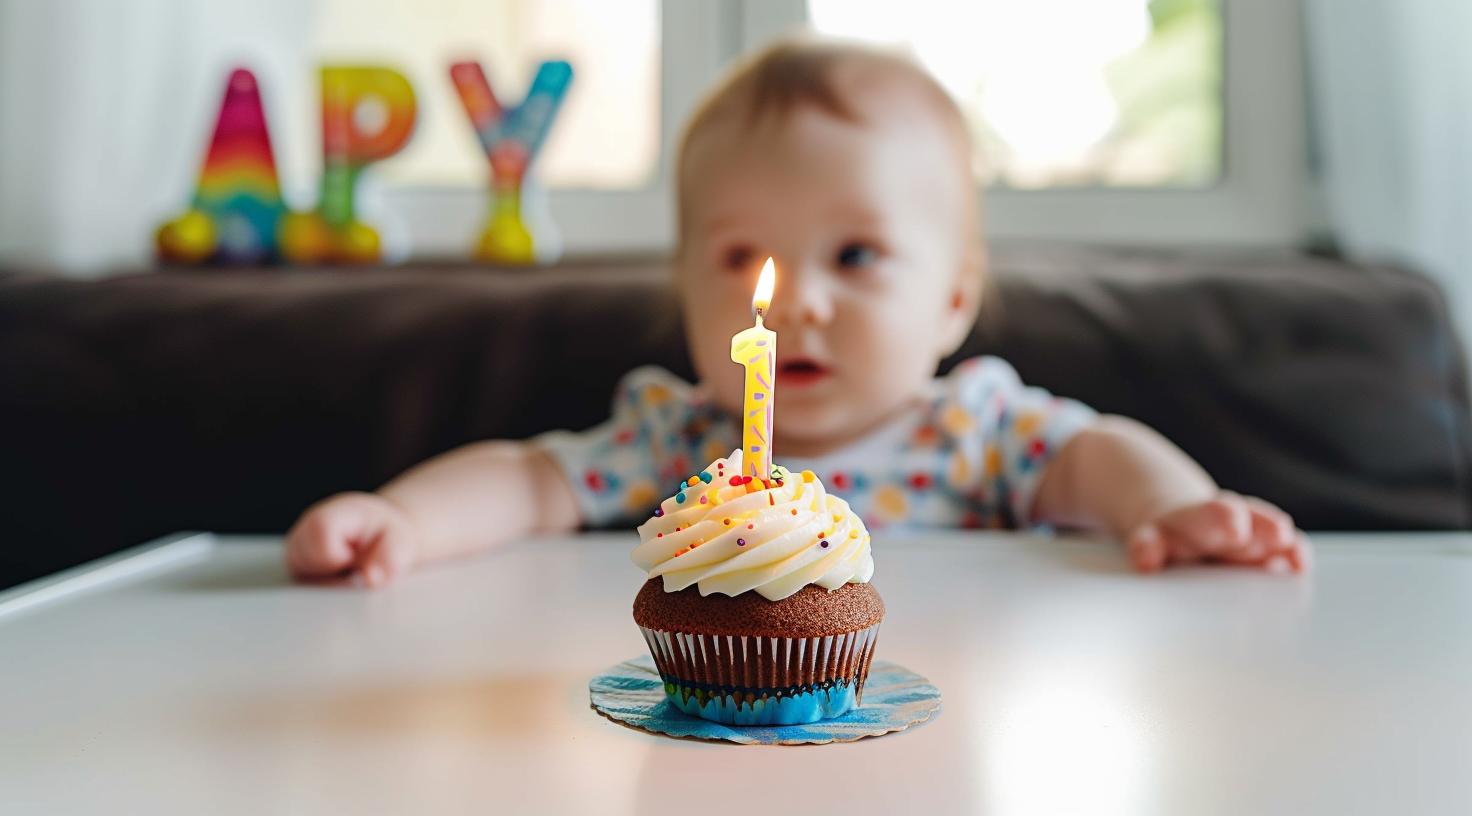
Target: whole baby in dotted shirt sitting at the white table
(852,169)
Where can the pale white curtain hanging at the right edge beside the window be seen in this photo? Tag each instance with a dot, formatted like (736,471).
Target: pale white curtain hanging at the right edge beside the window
(1392,86)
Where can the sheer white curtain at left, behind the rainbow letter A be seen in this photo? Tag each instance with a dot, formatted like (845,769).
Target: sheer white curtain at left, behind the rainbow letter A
(107,108)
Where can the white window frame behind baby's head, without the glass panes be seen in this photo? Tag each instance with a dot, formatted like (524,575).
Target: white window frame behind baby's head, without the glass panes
(1262,200)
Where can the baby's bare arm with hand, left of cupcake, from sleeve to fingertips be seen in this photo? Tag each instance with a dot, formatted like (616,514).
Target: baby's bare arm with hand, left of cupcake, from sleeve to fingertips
(463,502)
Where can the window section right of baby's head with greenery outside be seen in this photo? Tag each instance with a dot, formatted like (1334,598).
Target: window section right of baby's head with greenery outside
(1212,152)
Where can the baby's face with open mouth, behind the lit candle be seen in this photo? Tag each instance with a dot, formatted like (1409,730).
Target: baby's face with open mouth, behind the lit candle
(868,226)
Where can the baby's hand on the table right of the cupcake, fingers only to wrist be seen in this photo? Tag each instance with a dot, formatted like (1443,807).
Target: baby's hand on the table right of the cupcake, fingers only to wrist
(1228,530)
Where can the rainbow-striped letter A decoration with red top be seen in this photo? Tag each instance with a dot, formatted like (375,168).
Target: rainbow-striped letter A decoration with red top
(238,200)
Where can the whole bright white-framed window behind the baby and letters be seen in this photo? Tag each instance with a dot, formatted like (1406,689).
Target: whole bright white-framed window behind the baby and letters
(1127,122)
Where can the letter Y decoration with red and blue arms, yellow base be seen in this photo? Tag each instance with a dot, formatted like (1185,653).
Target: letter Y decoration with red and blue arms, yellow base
(512,139)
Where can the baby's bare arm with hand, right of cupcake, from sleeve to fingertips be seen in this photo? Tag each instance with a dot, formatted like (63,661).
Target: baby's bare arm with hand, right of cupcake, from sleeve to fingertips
(1127,478)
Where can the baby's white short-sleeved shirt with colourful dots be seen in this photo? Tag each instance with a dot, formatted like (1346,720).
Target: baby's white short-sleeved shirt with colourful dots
(974,460)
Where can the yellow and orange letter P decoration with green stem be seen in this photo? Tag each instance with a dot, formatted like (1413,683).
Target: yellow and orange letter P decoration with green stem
(332,233)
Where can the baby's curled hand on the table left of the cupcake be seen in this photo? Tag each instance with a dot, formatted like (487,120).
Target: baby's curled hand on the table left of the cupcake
(351,534)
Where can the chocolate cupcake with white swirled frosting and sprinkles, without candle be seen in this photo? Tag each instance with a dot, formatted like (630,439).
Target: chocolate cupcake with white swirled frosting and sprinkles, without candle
(759,608)
